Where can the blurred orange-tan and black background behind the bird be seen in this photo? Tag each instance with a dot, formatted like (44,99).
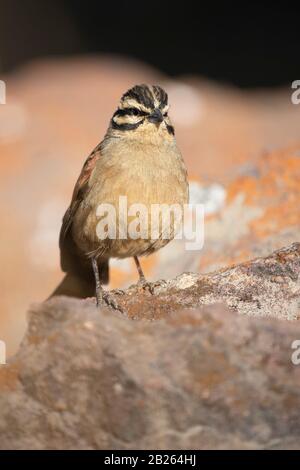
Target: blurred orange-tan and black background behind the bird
(228,71)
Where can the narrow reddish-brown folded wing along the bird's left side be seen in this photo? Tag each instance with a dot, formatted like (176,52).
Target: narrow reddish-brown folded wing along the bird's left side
(81,187)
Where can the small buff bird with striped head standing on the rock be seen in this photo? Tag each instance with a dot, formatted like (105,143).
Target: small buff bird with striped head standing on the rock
(139,159)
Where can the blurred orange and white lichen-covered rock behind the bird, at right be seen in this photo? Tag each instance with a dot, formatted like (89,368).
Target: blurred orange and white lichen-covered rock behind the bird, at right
(260,214)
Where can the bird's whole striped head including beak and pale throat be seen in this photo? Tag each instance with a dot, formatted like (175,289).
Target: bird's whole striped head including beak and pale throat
(143,110)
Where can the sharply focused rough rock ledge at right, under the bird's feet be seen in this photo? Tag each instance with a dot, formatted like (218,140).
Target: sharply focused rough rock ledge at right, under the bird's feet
(265,287)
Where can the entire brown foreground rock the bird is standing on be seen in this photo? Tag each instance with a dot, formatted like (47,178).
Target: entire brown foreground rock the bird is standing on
(199,376)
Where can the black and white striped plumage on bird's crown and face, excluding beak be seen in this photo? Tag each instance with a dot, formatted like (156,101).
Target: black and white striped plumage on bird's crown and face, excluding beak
(137,104)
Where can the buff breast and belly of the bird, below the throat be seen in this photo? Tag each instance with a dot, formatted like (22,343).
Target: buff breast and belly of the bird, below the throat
(146,173)
